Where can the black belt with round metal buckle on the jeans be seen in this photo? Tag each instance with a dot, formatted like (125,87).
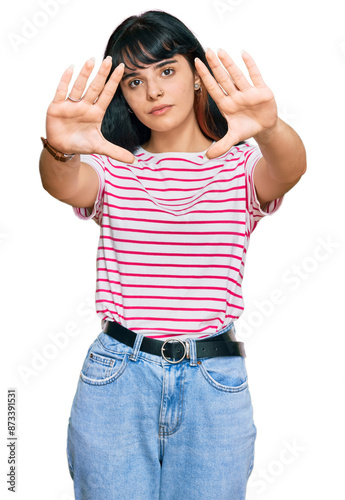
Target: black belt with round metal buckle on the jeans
(220,345)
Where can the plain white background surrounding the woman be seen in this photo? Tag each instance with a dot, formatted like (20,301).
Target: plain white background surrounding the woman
(295,348)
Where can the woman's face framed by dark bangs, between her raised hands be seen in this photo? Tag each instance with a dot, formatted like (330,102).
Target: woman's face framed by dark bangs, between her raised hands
(162,94)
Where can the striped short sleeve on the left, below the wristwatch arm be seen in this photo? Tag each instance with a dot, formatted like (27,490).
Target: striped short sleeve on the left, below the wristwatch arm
(98,163)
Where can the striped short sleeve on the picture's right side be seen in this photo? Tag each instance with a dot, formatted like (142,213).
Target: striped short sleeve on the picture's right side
(251,157)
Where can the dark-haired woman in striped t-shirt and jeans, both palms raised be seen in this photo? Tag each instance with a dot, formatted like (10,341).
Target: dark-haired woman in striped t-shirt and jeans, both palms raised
(156,152)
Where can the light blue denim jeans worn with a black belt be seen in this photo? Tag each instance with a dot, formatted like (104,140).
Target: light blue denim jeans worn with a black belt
(142,428)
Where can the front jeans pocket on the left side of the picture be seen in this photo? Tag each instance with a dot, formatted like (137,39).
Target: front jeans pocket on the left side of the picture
(101,367)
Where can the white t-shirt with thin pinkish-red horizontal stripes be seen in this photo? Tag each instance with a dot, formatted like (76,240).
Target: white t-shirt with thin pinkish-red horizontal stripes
(174,233)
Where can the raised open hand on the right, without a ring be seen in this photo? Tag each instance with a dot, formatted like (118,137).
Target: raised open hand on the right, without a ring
(249,110)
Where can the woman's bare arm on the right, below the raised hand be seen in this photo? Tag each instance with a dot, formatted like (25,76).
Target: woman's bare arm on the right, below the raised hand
(283,163)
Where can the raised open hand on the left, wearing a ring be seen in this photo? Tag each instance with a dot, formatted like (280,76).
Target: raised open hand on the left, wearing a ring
(75,127)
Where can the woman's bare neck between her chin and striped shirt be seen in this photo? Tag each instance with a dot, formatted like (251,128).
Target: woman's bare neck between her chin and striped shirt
(188,139)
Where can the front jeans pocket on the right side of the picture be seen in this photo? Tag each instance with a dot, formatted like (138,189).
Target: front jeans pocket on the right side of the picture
(225,373)
